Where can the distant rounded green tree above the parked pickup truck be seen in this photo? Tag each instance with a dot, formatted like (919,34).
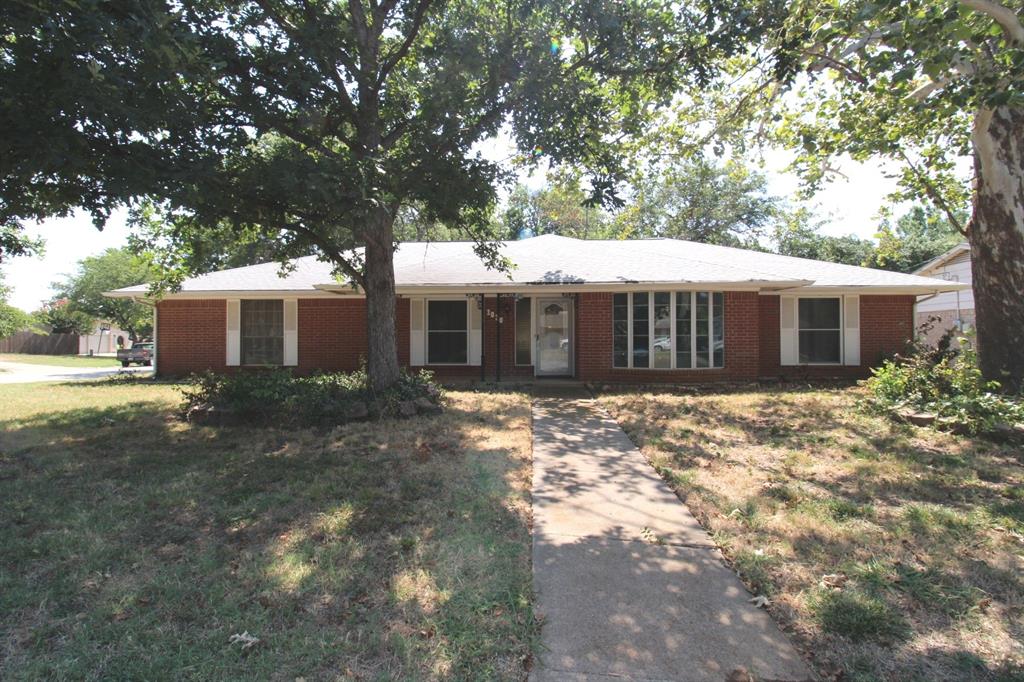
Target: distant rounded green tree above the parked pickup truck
(112,270)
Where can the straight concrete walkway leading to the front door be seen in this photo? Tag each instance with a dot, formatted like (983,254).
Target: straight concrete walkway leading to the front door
(629,584)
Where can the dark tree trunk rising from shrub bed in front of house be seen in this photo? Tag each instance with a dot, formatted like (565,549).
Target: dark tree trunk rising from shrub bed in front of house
(382,347)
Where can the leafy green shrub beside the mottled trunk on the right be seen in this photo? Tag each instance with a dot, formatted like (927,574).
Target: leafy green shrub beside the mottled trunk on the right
(945,382)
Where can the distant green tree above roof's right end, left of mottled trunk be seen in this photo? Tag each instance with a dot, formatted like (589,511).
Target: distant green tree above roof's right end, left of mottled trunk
(919,236)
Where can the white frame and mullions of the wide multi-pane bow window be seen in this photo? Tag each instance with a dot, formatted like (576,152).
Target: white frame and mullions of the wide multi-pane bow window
(672,337)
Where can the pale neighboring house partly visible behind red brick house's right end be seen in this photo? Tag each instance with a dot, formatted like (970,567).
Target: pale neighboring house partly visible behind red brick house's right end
(955,310)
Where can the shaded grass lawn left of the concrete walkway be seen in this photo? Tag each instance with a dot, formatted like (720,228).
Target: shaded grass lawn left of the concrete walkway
(134,546)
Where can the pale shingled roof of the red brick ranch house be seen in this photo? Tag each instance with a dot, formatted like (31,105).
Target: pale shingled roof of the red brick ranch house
(568,265)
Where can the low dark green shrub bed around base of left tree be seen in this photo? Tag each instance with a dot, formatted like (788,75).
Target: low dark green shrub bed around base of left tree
(280,398)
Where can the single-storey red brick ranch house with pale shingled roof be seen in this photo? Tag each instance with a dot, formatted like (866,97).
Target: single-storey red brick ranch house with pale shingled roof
(645,311)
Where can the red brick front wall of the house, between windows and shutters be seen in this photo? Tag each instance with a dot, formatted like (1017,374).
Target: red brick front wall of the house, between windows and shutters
(333,336)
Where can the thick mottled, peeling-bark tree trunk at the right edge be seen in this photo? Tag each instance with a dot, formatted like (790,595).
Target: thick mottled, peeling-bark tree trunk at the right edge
(998,243)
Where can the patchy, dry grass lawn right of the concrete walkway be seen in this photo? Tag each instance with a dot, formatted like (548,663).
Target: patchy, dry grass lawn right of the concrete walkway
(890,552)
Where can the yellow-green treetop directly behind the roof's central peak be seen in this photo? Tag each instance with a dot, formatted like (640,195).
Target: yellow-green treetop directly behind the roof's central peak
(562,207)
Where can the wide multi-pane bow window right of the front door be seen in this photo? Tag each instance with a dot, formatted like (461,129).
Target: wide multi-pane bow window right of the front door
(668,330)
